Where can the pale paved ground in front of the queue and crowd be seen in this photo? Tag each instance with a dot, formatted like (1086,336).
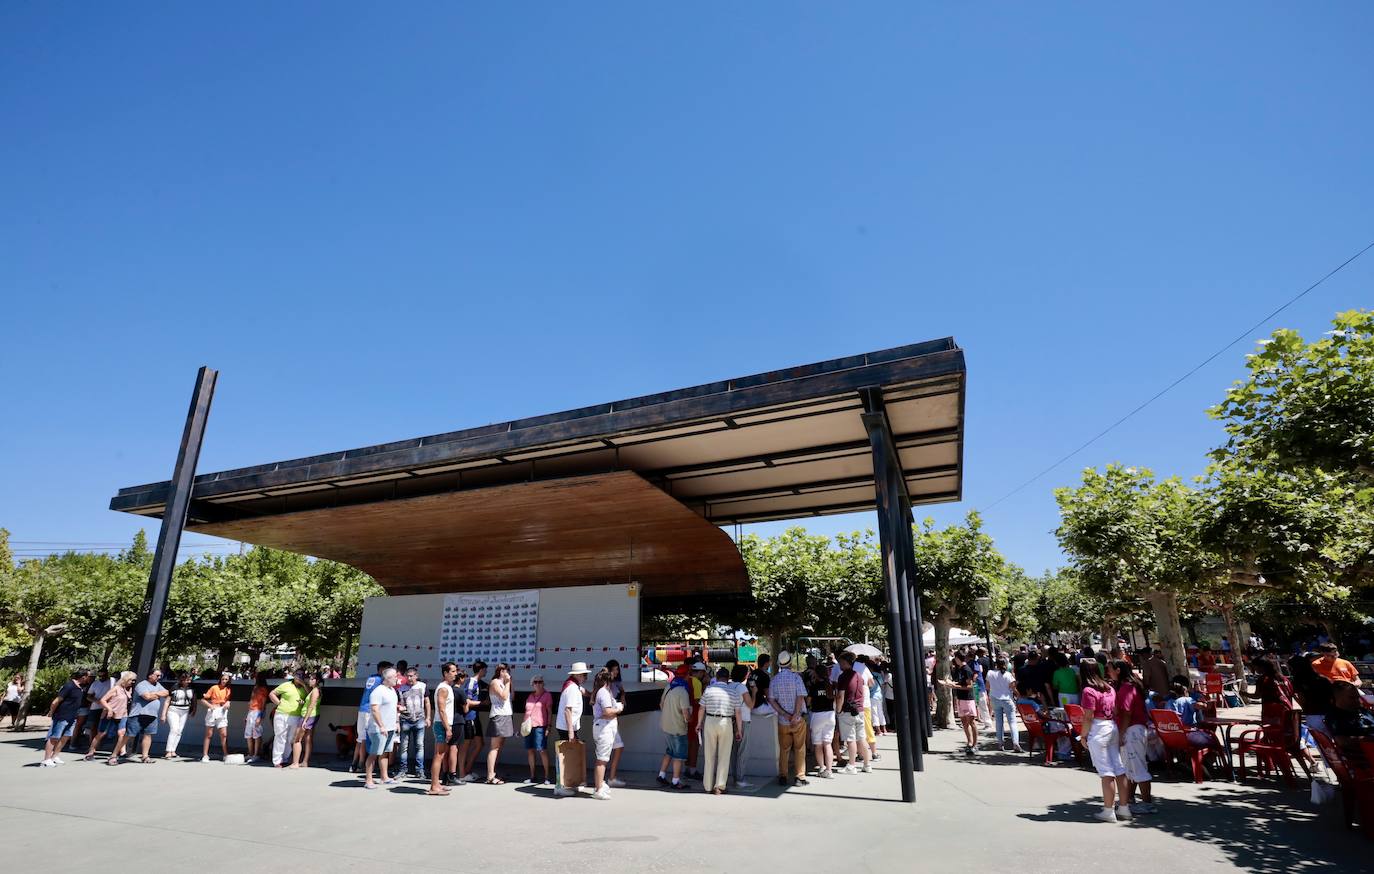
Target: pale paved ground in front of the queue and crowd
(995,813)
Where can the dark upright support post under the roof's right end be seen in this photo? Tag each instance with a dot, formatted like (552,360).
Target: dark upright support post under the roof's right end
(890,506)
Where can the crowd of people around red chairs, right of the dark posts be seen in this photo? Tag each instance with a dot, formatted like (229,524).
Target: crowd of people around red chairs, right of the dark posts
(1119,693)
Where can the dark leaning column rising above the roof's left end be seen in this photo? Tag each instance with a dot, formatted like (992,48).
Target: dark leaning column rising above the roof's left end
(174,520)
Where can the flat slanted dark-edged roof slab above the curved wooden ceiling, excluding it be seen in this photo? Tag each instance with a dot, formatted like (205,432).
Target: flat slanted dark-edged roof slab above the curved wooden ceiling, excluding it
(776,446)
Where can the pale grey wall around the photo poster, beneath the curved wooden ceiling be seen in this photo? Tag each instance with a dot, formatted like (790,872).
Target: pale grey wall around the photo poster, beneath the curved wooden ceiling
(581,623)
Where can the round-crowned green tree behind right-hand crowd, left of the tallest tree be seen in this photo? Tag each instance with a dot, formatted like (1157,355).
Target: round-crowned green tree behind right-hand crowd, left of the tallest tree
(1131,538)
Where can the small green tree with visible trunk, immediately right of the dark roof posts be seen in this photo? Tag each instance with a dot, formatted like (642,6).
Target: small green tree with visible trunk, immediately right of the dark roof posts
(954,567)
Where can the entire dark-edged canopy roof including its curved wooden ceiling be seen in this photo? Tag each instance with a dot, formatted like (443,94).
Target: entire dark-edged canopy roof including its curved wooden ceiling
(630,490)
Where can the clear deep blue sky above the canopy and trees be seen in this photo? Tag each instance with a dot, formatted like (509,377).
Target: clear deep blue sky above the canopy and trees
(384,222)
